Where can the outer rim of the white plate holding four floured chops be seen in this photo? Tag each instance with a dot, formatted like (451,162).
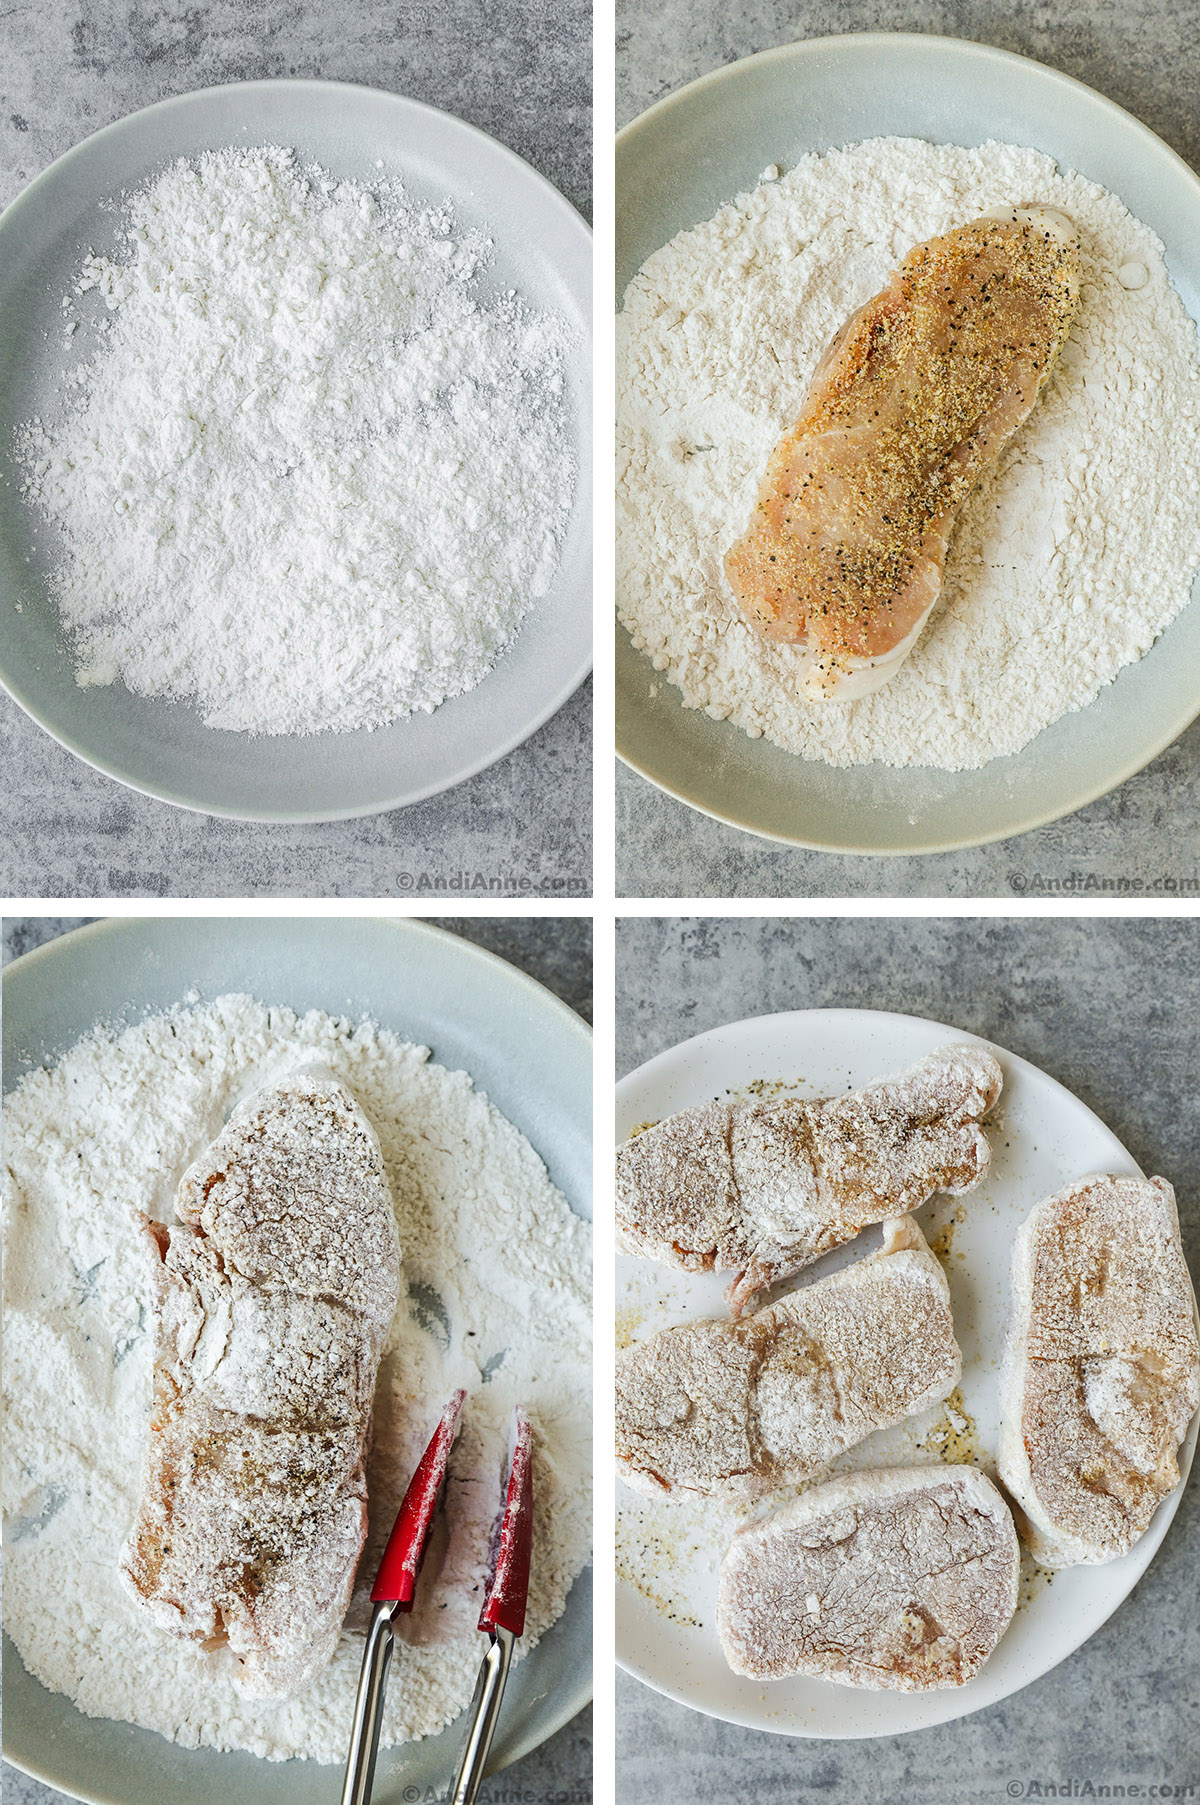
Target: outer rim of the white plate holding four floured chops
(1163,1517)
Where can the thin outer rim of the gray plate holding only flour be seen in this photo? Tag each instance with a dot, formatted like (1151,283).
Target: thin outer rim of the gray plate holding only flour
(571,221)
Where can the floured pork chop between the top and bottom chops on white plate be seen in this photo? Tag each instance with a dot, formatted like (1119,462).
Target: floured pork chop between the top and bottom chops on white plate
(741,1409)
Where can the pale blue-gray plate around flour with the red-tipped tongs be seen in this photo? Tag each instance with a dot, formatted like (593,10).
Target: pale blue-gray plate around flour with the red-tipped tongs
(533,1059)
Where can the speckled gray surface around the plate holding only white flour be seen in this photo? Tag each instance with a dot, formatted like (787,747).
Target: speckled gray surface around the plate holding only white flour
(522,71)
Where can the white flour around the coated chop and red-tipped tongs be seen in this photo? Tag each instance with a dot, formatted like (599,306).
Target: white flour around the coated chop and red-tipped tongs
(495,1297)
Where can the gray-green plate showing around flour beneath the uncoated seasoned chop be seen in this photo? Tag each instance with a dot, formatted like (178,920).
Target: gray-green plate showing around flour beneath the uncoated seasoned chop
(699,149)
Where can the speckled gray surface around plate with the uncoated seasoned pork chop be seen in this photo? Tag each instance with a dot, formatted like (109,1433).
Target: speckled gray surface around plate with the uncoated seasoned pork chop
(1140,53)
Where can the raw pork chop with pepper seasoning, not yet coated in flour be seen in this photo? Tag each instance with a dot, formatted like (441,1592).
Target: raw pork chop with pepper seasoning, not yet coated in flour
(914,400)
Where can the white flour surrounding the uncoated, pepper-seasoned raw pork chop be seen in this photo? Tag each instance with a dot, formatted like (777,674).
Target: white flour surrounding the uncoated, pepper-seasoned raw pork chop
(1071,559)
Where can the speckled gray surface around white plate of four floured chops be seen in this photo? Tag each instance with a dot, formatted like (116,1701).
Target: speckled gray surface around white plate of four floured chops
(1112,1010)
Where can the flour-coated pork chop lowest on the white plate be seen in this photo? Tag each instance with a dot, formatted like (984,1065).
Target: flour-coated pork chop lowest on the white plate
(898,1580)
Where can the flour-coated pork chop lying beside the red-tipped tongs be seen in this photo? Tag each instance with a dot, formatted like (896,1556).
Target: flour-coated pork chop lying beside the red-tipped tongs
(273,1301)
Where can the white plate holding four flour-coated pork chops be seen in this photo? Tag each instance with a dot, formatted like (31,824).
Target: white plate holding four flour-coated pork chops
(1044,1138)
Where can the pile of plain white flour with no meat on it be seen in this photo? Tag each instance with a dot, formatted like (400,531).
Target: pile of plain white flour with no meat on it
(311,472)
